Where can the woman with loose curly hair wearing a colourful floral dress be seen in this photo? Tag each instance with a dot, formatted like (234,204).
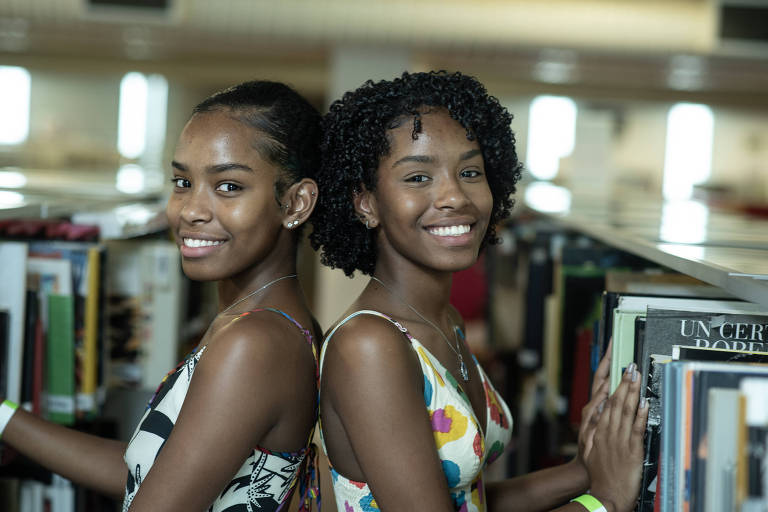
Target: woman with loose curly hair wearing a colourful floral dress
(416,173)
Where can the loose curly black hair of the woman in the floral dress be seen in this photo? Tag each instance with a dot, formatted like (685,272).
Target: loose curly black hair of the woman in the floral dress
(354,140)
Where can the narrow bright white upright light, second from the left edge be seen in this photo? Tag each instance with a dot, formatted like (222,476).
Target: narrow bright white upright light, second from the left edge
(132,121)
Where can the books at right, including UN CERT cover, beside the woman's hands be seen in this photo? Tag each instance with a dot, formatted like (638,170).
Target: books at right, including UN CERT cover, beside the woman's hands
(704,363)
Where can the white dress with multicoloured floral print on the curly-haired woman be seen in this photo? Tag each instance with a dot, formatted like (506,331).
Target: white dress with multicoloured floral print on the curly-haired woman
(464,449)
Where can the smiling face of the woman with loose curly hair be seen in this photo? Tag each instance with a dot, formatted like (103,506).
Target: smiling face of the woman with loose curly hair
(432,202)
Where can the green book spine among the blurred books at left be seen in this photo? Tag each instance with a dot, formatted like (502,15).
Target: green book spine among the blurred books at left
(60,359)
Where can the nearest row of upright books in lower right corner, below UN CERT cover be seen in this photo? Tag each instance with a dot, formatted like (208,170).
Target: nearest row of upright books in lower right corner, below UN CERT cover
(706,462)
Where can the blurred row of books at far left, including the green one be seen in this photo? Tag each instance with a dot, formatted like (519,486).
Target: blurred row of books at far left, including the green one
(51,343)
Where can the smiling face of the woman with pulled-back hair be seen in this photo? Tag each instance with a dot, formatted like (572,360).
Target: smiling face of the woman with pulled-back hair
(222,209)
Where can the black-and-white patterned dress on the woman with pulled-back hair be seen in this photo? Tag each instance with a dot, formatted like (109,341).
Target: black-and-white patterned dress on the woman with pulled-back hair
(266,478)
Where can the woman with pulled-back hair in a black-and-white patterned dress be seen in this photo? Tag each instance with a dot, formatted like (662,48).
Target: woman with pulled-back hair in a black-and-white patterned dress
(229,428)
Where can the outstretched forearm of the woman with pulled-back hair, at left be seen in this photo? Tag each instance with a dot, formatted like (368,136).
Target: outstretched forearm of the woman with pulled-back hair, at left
(85,459)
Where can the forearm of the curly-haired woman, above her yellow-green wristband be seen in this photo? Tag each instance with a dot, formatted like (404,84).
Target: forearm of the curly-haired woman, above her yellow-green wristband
(541,490)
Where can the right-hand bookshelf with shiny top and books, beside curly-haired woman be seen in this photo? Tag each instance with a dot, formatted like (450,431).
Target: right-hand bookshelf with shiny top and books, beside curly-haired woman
(584,242)
